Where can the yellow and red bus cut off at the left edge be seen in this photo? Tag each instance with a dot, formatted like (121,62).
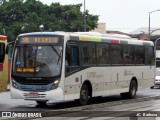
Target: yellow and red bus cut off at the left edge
(3,64)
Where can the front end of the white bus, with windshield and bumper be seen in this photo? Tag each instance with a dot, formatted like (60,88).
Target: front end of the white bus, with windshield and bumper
(36,67)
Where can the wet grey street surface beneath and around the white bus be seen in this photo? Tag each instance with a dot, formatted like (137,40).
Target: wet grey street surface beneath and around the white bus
(107,108)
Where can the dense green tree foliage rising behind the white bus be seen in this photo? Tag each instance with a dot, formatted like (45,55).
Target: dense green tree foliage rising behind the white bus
(19,16)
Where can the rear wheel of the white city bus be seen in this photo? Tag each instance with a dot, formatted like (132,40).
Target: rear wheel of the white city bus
(132,89)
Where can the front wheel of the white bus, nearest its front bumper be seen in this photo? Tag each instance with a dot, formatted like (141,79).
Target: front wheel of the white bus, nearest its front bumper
(84,95)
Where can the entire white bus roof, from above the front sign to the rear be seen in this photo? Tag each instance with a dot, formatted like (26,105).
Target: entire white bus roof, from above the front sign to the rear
(95,37)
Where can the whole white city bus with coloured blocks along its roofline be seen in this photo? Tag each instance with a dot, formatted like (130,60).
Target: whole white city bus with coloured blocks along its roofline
(65,66)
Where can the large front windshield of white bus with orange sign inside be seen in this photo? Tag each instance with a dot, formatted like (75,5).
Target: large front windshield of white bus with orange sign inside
(37,61)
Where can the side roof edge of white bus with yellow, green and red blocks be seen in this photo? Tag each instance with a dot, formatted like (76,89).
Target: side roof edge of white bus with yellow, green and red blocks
(108,38)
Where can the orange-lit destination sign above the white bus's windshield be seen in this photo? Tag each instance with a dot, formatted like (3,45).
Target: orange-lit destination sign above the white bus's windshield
(29,40)
